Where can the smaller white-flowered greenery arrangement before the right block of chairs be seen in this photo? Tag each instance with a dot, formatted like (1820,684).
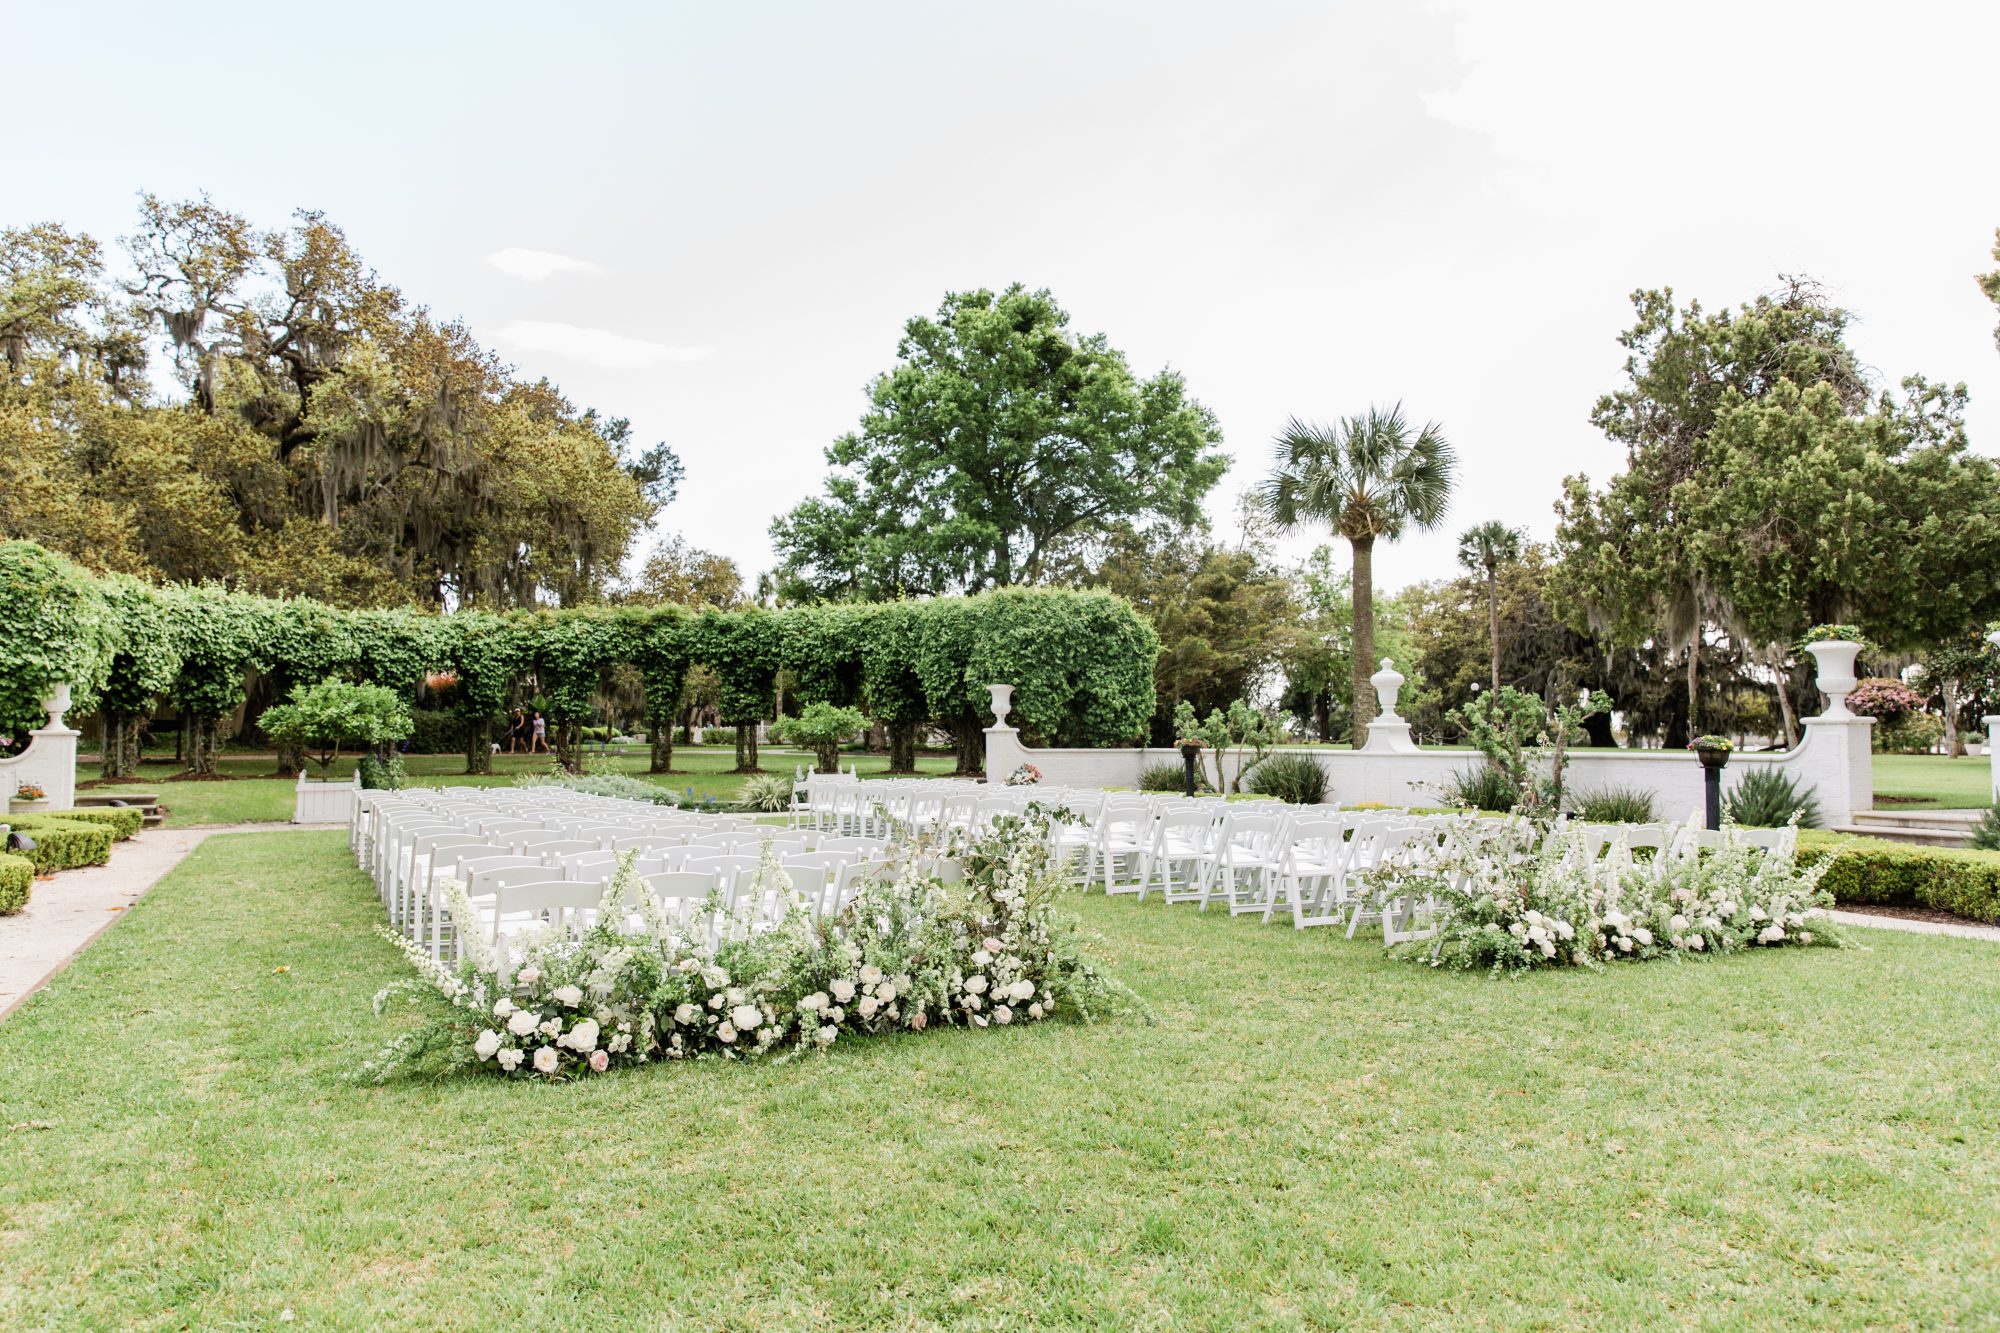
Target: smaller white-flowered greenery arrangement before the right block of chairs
(1511,900)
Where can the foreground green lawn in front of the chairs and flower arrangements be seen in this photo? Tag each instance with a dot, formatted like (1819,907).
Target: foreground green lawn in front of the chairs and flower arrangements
(1311,1136)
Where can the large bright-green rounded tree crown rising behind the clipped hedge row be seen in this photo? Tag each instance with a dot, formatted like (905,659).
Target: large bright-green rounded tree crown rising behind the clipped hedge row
(997,445)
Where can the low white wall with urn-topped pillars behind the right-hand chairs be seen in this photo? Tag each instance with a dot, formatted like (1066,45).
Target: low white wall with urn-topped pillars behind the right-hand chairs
(1833,760)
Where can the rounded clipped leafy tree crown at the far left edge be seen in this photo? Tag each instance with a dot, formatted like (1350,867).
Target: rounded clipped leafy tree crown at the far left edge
(55,631)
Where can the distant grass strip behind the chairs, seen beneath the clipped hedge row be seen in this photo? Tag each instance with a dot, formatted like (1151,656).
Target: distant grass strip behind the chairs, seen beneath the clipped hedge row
(251,796)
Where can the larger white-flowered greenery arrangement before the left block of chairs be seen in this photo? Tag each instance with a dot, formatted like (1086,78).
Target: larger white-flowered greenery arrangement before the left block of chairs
(641,986)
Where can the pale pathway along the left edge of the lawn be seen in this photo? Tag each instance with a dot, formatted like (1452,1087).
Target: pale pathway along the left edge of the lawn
(69,912)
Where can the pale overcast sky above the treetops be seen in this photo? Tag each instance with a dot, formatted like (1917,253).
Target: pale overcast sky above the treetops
(717,219)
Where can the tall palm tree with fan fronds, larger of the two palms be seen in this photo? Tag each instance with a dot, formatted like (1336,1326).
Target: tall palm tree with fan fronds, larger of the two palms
(1365,477)
